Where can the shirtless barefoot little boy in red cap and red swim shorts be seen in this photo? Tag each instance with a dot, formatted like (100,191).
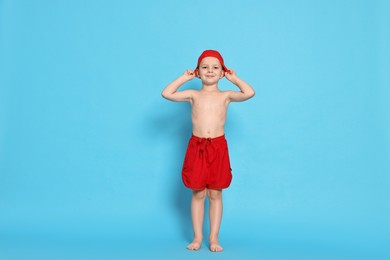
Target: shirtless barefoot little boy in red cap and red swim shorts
(206,168)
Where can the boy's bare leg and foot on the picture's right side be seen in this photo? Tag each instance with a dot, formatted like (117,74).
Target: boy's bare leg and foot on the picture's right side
(215,197)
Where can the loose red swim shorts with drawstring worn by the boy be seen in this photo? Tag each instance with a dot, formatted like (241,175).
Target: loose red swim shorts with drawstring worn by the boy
(207,164)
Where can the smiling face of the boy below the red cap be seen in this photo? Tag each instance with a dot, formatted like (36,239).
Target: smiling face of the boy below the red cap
(210,70)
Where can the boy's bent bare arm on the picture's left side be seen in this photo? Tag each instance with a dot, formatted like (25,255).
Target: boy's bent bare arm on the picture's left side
(170,92)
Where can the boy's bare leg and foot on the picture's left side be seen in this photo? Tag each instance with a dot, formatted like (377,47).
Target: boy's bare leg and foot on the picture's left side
(197,213)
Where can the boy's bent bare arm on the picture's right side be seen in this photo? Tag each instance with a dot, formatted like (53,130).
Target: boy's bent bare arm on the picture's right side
(246,90)
